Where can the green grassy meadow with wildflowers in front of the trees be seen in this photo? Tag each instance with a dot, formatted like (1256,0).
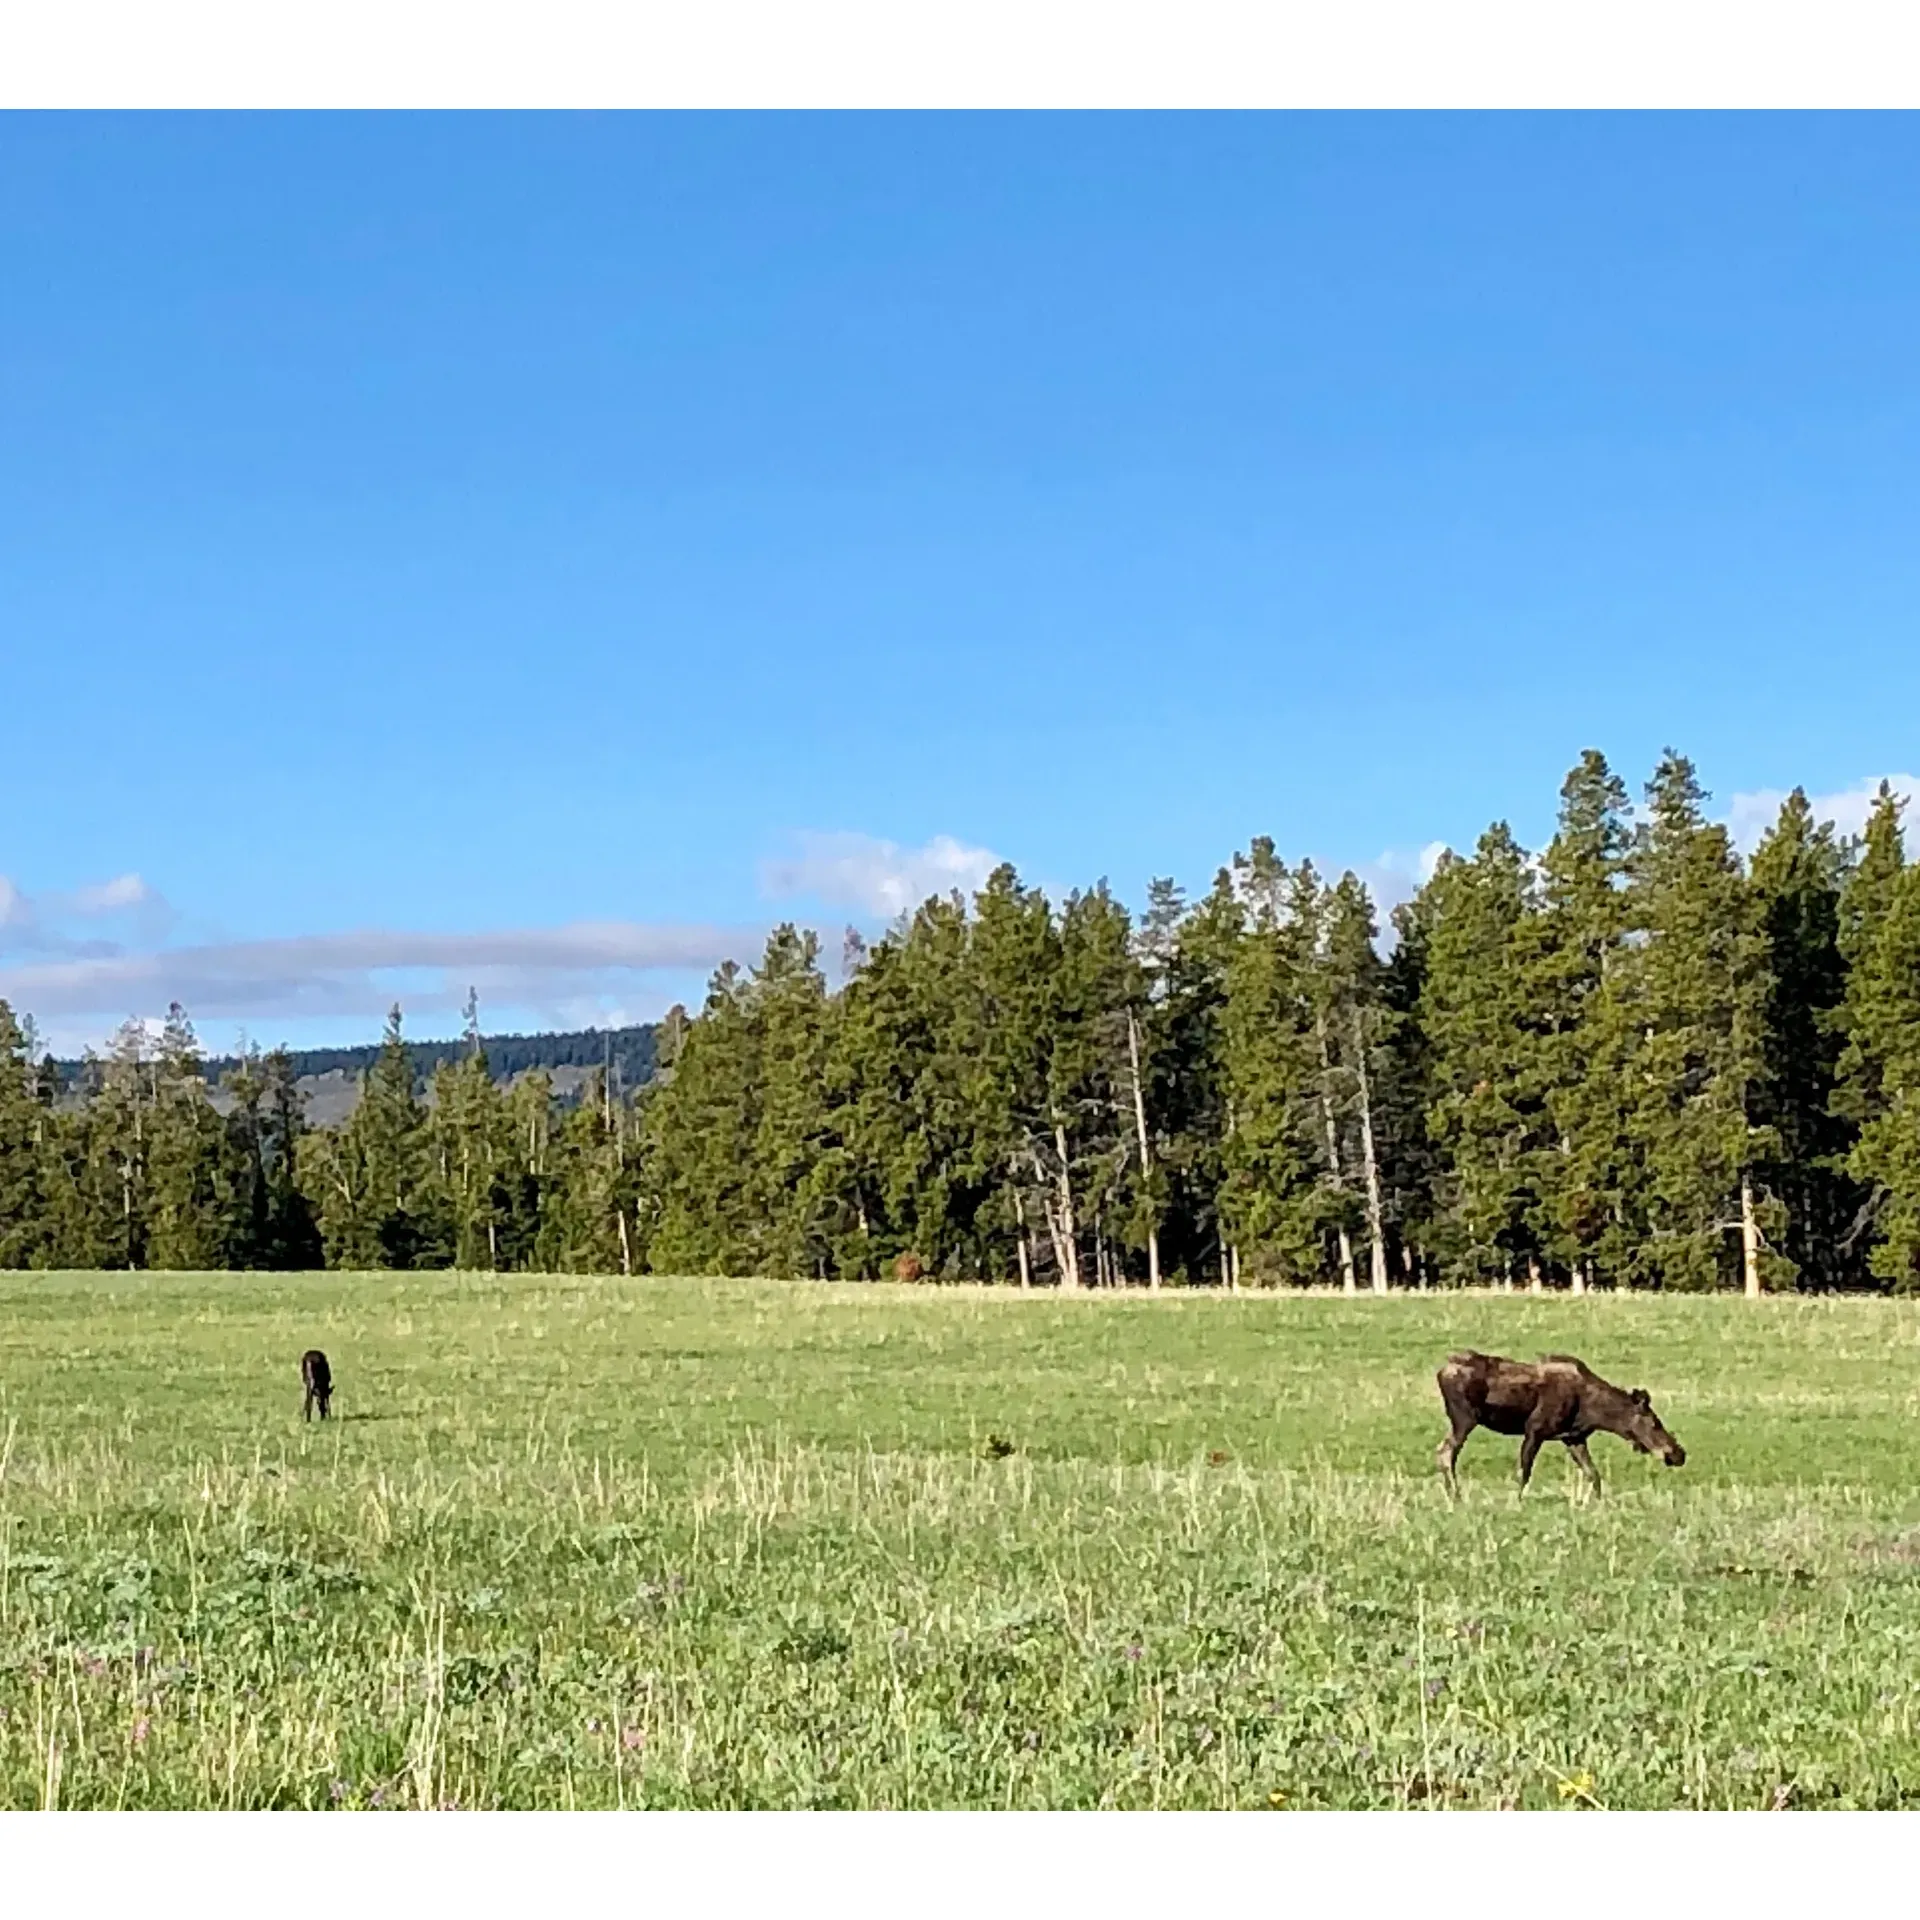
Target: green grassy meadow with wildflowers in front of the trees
(736,1545)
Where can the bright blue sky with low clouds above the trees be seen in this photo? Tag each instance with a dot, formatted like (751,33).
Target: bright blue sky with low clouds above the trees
(539,552)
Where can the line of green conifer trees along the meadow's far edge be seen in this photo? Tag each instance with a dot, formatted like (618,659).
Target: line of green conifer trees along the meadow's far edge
(1633,1059)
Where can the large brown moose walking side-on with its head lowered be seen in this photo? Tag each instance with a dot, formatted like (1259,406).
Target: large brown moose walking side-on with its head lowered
(1558,1399)
